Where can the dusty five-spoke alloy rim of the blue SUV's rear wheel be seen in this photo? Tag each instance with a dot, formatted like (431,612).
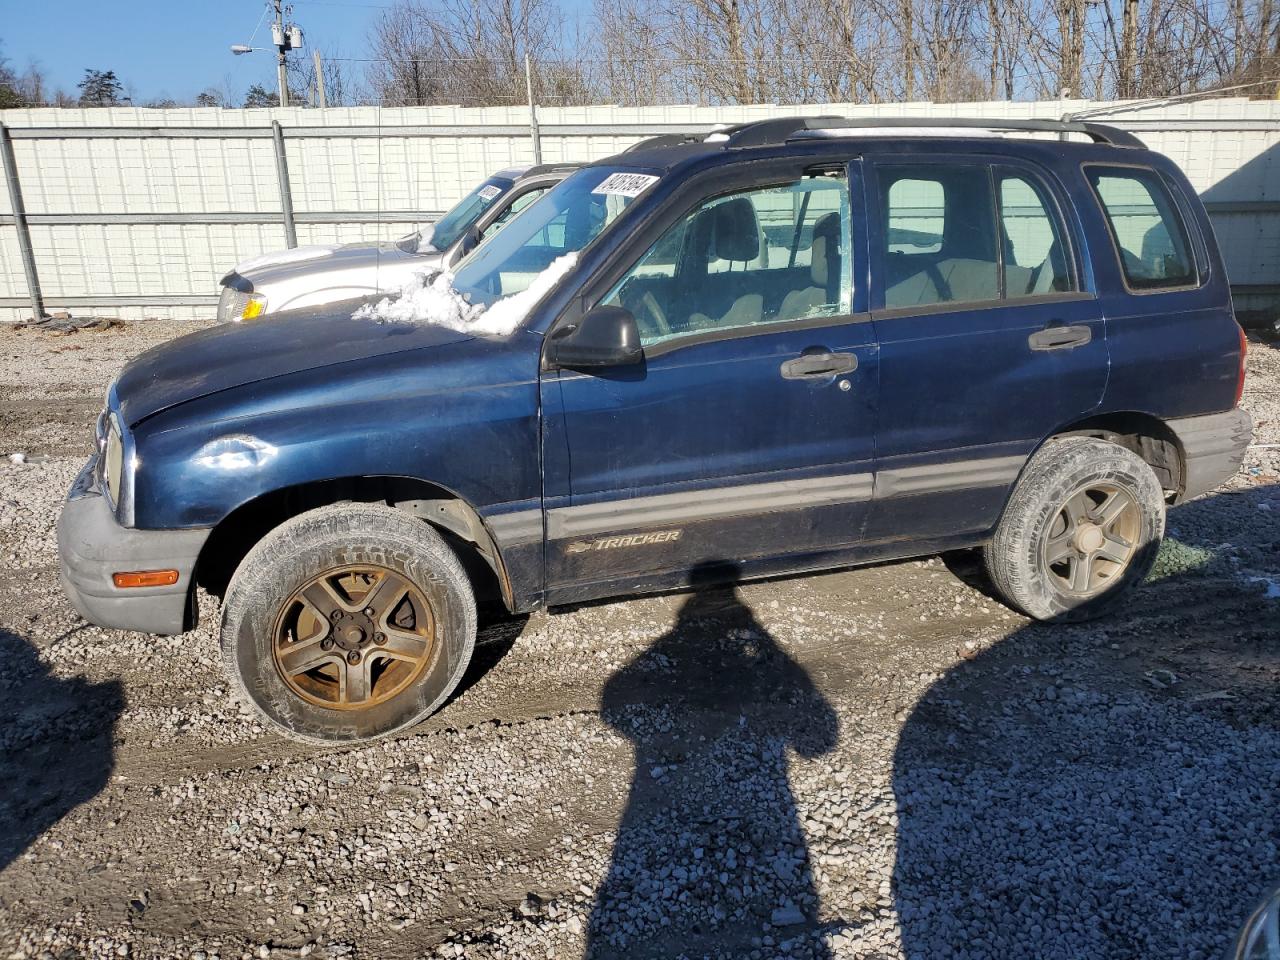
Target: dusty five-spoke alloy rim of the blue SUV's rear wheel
(1092,540)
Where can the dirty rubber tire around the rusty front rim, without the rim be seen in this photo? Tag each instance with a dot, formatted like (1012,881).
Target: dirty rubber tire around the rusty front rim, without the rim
(305,548)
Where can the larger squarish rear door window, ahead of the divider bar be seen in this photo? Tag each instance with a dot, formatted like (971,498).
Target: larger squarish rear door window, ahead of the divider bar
(941,239)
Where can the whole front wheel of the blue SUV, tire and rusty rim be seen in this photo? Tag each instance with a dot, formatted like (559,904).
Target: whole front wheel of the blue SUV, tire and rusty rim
(349,623)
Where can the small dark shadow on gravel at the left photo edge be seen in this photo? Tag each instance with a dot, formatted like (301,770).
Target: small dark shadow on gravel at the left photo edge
(56,744)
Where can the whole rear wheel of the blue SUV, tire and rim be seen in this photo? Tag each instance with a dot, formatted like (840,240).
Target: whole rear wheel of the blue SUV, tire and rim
(1084,525)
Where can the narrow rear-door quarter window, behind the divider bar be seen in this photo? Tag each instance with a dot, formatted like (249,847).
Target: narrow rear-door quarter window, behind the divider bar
(1035,254)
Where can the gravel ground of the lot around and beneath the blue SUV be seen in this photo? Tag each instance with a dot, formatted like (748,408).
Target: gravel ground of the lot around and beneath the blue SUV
(872,764)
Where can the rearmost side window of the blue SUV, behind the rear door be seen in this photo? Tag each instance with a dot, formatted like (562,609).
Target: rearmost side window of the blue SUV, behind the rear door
(1149,232)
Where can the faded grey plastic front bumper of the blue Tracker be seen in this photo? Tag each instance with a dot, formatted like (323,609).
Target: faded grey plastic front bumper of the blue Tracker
(93,546)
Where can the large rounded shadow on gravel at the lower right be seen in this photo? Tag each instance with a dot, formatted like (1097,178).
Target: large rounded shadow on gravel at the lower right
(1105,790)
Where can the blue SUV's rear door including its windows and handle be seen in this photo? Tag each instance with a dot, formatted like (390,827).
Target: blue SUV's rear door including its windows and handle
(990,337)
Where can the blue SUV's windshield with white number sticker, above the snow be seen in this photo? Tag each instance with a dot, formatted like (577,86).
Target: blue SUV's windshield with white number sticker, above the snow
(563,222)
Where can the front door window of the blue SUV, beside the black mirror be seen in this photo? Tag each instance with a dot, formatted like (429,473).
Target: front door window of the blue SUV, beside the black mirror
(758,257)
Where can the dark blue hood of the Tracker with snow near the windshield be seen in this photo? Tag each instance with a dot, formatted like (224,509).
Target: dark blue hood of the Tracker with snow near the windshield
(237,355)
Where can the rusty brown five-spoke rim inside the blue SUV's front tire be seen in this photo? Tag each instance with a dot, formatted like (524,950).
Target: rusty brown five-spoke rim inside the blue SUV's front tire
(354,638)
